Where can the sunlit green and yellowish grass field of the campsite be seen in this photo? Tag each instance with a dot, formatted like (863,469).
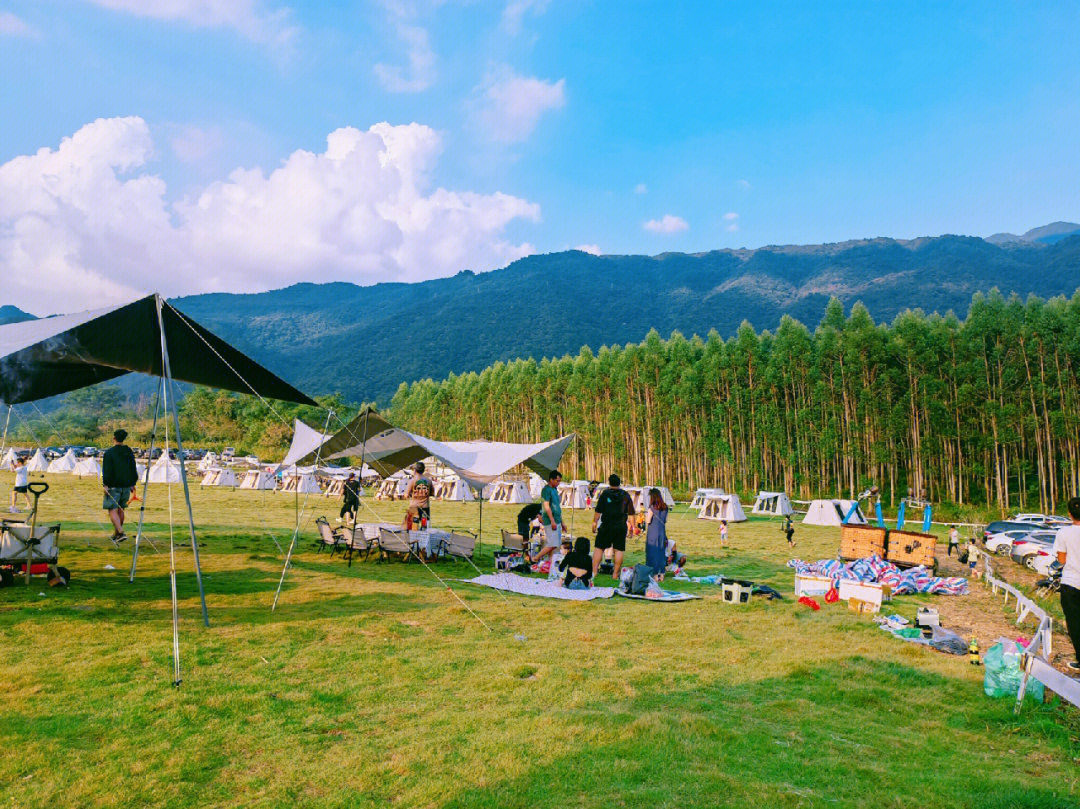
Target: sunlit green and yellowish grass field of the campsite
(372,686)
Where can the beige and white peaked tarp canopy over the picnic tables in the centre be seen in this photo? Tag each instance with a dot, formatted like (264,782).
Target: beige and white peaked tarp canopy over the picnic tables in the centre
(388,449)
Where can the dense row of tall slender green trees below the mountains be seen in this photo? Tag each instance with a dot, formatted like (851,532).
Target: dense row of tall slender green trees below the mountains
(981,411)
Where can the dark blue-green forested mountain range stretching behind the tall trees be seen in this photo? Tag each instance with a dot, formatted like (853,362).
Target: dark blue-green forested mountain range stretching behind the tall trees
(363,342)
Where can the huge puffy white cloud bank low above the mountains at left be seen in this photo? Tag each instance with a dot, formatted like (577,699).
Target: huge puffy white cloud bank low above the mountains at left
(86,224)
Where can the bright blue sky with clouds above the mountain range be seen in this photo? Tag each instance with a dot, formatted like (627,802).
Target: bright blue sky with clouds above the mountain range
(633,127)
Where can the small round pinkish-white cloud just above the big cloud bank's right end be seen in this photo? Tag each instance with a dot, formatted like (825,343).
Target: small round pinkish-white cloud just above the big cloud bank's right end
(507,107)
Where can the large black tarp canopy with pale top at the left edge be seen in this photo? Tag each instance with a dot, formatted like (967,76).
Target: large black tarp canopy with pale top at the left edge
(44,358)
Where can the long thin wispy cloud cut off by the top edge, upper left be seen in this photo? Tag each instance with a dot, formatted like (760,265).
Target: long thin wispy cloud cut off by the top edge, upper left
(251,19)
